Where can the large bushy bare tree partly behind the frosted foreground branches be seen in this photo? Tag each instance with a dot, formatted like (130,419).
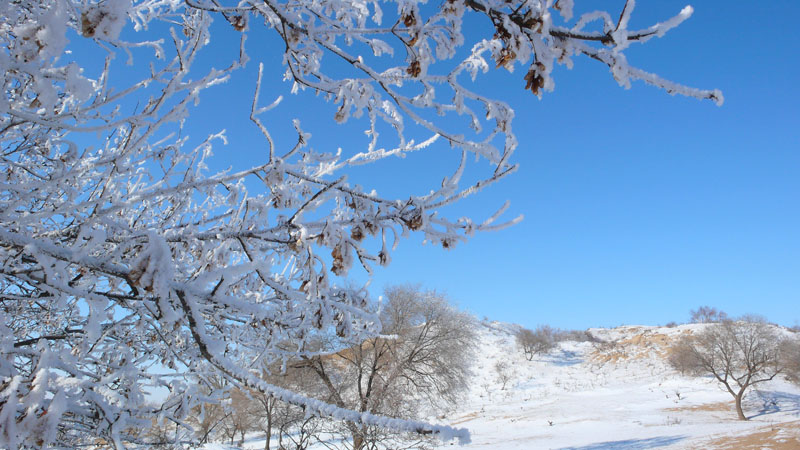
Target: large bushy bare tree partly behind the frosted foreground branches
(421,360)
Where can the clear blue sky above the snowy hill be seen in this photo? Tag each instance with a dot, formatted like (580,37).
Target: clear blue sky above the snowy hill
(638,206)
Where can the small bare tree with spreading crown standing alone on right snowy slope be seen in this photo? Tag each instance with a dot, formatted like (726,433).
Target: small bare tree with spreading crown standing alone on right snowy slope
(738,354)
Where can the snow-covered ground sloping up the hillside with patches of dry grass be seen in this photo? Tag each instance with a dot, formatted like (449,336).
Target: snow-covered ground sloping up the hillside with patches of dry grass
(585,396)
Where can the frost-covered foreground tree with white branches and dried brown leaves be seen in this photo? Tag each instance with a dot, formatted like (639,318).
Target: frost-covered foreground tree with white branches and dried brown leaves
(127,265)
